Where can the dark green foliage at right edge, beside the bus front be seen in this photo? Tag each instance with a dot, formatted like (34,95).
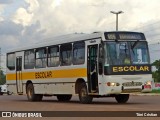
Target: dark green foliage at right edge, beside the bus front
(156,74)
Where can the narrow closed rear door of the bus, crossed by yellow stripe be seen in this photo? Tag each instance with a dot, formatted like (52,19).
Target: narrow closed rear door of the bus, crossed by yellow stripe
(19,74)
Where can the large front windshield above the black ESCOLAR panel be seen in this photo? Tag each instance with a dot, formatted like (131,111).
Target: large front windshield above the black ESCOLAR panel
(126,52)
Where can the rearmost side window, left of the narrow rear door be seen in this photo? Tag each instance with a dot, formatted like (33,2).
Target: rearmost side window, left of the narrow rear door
(11,61)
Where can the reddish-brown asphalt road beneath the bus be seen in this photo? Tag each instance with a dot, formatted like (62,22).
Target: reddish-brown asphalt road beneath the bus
(135,103)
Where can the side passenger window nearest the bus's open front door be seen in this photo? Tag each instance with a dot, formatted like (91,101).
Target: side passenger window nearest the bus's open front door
(78,53)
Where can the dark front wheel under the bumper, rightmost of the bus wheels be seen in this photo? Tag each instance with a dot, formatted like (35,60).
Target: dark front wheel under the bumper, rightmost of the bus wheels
(122,98)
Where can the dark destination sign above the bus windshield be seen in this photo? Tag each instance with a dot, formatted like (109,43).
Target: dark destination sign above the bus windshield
(124,36)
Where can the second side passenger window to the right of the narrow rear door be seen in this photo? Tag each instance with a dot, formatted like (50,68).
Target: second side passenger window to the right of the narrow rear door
(41,58)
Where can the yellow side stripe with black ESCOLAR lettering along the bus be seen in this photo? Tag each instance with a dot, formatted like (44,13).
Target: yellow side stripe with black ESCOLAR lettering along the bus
(69,73)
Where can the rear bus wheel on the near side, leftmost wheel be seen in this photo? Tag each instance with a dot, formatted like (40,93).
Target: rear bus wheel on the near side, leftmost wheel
(31,95)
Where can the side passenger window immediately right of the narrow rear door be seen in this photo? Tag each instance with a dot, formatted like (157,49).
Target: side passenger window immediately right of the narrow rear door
(29,59)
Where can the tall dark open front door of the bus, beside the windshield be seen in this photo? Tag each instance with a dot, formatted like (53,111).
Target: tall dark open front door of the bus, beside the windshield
(92,71)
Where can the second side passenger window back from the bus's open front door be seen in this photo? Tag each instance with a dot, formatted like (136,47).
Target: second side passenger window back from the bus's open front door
(66,54)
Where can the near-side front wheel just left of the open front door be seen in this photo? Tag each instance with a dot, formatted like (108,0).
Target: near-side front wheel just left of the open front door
(83,94)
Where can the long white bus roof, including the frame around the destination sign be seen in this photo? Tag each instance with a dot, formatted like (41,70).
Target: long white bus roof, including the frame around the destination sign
(77,37)
